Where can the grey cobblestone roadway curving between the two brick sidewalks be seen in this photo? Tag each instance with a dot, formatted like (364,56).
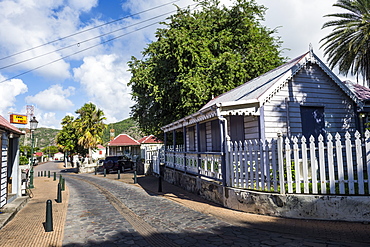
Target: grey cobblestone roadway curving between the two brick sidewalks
(104,212)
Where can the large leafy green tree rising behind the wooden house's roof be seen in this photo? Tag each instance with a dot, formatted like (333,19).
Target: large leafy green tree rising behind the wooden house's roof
(198,55)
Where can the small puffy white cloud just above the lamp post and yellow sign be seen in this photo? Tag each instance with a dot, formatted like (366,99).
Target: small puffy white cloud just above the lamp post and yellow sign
(54,98)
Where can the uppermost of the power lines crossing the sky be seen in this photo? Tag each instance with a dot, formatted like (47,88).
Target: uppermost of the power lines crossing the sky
(89,29)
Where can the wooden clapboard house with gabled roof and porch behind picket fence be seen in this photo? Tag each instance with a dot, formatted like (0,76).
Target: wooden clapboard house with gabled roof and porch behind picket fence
(302,97)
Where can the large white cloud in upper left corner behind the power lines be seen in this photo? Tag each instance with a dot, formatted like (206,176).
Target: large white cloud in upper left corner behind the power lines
(29,23)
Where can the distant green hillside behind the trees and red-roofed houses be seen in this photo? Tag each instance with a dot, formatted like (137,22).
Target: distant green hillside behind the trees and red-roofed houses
(45,137)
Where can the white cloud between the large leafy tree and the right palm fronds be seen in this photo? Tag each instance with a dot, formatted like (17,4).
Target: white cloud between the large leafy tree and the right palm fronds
(299,23)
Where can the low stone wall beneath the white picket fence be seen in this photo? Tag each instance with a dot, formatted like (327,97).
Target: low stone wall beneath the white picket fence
(323,207)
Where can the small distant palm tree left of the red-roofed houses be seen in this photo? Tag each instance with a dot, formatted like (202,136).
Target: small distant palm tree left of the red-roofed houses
(90,126)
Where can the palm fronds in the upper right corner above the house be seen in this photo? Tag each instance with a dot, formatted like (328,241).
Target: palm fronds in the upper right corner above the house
(348,45)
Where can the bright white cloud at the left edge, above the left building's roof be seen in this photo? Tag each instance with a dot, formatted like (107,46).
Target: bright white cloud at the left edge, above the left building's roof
(8,92)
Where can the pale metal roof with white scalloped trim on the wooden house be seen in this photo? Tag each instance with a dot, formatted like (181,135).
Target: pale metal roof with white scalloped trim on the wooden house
(250,96)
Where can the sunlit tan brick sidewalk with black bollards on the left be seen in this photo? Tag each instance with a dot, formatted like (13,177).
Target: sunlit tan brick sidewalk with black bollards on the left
(26,228)
